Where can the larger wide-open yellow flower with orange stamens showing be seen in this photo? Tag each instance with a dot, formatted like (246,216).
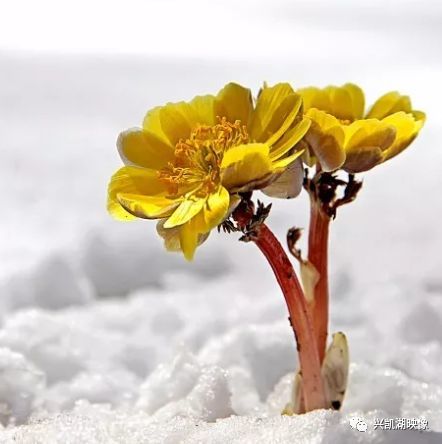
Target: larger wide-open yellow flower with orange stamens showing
(189,161)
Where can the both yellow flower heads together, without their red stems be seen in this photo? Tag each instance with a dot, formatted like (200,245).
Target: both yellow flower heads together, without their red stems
(190,161)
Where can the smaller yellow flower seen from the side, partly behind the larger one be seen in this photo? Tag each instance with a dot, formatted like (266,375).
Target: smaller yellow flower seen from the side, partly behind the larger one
(341,136)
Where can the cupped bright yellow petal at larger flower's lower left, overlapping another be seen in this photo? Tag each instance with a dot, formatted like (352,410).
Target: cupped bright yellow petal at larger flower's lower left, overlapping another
(147,207)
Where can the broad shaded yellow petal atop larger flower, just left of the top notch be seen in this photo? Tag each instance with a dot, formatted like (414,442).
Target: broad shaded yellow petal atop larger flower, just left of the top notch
(234,102)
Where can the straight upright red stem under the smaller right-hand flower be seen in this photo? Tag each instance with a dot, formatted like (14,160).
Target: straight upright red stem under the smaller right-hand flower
(318,256)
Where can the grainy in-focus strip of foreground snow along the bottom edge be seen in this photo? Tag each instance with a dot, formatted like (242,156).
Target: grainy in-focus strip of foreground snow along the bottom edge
(96,424)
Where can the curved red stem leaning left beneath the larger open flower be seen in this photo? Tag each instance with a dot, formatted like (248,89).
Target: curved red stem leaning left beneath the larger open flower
(300,317)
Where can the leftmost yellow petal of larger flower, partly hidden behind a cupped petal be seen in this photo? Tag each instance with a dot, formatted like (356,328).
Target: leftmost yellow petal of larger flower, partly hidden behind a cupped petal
(132,180)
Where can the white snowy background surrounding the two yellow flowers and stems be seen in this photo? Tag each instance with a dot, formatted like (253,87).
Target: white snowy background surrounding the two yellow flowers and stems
(144,347)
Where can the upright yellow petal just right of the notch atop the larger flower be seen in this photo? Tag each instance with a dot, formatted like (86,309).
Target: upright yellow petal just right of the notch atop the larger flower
(269,100)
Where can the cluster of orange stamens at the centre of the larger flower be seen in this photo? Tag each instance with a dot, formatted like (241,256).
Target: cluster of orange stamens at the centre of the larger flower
(196,165)
